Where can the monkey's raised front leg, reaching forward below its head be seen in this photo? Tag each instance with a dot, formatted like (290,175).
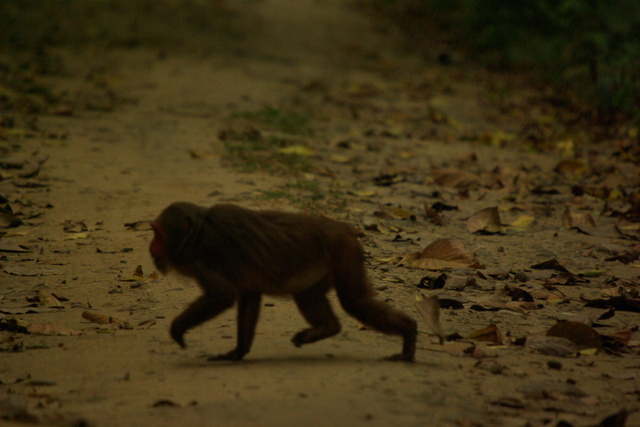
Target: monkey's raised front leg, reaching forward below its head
(204,308)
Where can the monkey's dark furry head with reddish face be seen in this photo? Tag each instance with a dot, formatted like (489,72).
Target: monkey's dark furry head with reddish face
(172,231)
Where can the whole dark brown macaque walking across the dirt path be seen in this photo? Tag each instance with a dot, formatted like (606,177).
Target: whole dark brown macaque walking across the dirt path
(239,254)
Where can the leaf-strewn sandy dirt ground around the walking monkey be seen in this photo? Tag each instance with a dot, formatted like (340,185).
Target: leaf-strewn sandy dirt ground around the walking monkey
(120,108)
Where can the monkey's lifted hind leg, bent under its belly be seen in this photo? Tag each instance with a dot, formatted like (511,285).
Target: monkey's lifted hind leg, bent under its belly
(315,308)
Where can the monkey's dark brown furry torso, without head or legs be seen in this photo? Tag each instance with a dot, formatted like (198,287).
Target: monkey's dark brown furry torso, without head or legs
(241,244)
